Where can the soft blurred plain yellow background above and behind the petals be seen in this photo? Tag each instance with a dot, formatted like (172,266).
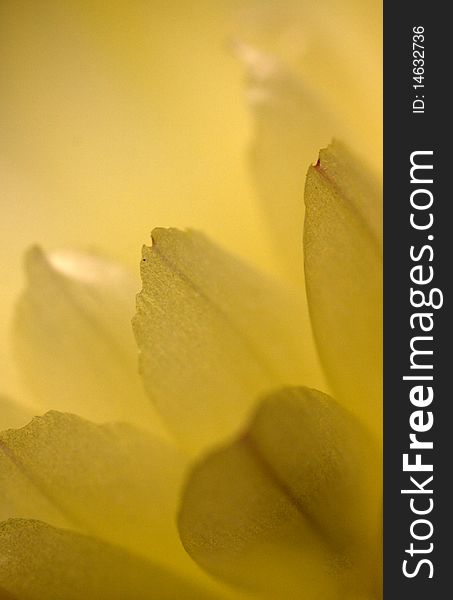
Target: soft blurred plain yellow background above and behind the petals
(119,116)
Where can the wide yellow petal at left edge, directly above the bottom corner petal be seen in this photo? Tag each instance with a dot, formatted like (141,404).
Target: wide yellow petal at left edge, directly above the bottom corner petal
(115,481)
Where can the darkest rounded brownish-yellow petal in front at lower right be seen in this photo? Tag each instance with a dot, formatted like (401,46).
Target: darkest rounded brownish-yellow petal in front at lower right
(292,505)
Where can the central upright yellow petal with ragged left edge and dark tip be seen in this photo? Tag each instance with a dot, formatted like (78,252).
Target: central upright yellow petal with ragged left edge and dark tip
(214,334)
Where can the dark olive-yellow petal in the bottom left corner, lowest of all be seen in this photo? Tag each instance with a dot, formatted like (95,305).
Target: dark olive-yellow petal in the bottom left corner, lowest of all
(40,561)
